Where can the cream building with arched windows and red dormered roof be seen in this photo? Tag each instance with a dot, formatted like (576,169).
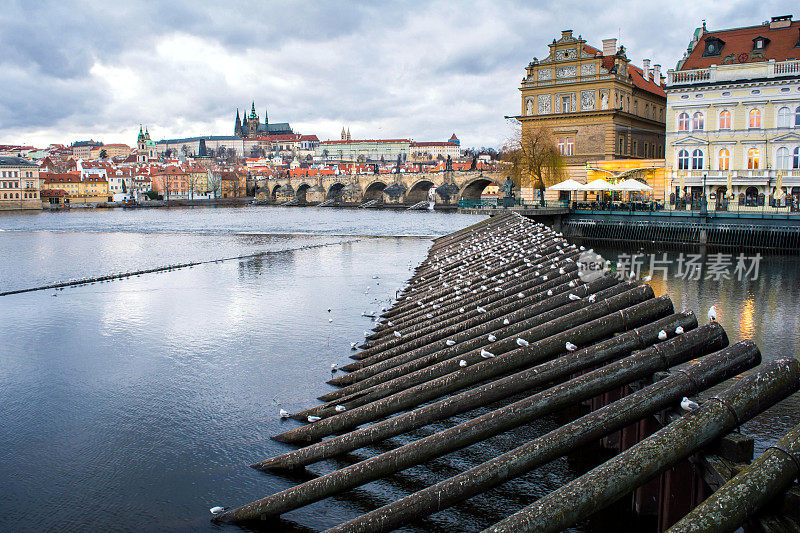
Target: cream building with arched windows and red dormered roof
(733,116)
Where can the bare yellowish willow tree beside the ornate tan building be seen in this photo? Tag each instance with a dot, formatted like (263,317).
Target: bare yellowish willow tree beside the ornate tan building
(534,156)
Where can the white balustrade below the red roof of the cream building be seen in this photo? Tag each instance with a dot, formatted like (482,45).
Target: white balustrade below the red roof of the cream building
(733,72)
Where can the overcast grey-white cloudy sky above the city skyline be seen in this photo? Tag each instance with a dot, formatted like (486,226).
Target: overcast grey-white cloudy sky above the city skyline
(79,70)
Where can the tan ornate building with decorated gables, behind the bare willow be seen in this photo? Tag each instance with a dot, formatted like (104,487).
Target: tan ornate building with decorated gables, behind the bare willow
(596,103)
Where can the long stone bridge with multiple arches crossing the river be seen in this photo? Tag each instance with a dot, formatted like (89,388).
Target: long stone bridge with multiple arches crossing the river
(404,188)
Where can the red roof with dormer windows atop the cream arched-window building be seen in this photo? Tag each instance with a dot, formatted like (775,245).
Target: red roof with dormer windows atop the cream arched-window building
(782,45)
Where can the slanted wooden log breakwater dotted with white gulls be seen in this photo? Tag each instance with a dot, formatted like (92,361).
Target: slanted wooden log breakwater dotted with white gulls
(502,325)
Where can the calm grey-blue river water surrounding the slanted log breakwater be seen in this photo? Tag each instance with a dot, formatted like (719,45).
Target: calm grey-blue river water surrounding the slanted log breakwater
(138,404)
